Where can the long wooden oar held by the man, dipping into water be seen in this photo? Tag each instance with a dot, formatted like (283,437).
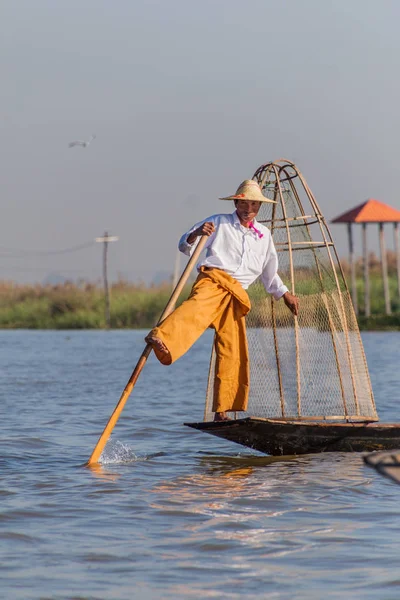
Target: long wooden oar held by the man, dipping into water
(142,360)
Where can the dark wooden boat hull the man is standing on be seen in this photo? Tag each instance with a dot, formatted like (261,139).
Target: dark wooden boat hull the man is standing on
(298,437)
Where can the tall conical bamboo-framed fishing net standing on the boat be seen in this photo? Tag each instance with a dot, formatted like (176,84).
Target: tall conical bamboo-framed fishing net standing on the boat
(310,367)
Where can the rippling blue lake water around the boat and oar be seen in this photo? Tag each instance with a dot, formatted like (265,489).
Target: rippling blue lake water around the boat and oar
(172,512)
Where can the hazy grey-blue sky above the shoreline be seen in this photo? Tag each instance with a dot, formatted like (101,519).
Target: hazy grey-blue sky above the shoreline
(187,99)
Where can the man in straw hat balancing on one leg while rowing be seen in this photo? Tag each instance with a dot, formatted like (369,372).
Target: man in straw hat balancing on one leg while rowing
(239,249)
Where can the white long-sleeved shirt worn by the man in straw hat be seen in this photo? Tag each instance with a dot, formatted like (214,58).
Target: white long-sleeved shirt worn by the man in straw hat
(240,252)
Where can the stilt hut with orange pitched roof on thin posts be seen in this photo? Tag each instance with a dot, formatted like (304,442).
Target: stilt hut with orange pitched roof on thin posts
(371,211)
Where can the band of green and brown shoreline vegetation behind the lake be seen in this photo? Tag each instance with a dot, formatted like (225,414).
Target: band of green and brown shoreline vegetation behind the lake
(136,306)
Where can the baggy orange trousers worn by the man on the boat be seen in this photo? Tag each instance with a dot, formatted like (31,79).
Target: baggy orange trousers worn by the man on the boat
(218,301)
